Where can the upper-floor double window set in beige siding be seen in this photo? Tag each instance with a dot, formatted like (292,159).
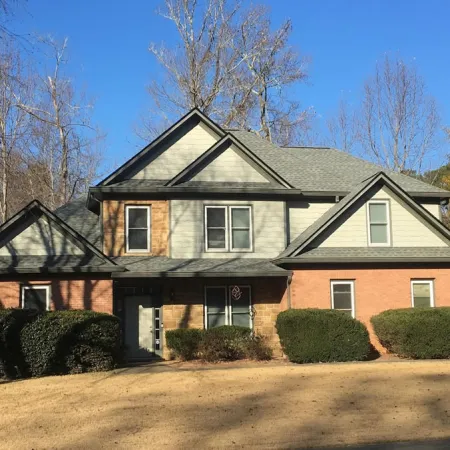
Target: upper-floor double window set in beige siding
(228,228)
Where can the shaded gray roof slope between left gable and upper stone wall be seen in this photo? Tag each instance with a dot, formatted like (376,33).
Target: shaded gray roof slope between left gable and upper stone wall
(86,223)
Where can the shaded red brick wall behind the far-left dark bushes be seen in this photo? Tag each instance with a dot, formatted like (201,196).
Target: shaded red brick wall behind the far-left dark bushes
(93,294)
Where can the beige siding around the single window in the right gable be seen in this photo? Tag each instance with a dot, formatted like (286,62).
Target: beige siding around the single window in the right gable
(407,228)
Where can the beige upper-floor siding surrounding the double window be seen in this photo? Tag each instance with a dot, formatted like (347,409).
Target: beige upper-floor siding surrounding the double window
(187,238)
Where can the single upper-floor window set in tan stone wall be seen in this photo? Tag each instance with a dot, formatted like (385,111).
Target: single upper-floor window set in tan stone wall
(138,228)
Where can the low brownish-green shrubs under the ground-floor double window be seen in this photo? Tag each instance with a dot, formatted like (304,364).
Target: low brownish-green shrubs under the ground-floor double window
(225,343)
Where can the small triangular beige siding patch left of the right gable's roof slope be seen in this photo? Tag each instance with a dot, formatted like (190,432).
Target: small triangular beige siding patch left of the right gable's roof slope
(303,214)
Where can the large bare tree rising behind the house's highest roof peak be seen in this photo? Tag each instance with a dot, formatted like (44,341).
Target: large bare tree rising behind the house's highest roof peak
(230,64)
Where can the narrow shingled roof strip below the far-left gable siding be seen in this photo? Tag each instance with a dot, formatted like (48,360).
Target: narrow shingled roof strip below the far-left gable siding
(60,263)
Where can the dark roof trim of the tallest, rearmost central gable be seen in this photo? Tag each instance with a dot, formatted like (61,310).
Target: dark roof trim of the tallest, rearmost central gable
(193,116)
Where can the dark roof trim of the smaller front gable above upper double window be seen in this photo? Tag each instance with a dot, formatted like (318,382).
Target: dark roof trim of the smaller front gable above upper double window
(217,149)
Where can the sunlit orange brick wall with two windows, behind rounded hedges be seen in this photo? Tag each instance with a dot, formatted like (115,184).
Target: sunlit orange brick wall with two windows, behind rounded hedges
(376,290)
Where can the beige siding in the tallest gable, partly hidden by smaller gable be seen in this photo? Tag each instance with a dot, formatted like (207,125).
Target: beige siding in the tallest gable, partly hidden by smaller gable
(182,153)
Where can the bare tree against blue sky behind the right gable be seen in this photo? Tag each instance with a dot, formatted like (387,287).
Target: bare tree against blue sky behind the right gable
(399,122)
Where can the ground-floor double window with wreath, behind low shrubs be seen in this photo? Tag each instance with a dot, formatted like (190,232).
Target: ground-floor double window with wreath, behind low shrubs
(227,305)
